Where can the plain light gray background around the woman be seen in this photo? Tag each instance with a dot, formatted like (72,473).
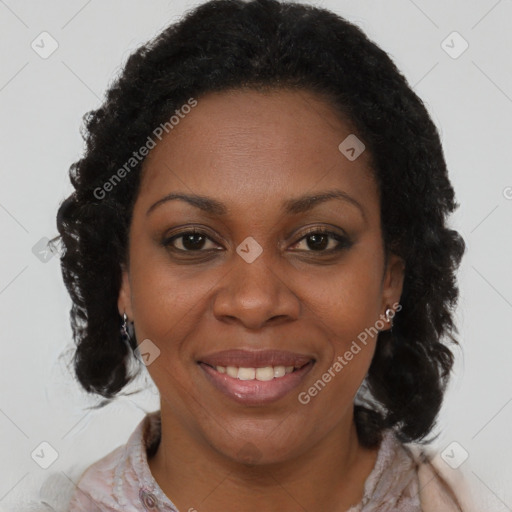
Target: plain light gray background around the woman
(41,104)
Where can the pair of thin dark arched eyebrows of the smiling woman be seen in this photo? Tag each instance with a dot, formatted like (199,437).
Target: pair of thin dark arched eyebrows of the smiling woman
(293,206)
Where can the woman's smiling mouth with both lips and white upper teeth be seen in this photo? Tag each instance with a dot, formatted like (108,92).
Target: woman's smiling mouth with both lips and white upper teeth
(255,378)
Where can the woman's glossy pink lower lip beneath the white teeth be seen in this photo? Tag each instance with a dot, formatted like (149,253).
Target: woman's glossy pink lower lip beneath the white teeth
(256,392)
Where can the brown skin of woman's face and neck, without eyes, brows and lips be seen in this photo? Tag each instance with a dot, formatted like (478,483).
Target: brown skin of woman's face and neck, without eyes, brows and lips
(252,151)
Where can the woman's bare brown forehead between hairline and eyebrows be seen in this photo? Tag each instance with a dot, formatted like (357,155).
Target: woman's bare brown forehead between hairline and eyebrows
(250,145)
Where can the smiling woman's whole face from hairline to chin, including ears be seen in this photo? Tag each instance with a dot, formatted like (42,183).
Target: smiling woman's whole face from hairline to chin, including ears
(257,277)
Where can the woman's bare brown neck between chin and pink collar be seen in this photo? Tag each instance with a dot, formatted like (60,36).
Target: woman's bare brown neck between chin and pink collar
(329,476)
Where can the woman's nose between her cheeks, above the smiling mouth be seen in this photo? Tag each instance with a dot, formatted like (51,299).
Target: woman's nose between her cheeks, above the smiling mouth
(255,294)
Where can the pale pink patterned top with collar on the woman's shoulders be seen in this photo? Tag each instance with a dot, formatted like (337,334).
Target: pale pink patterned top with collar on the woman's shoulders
(122,482)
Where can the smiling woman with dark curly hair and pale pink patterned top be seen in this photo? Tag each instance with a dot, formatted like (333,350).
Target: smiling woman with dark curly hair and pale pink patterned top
(260,219)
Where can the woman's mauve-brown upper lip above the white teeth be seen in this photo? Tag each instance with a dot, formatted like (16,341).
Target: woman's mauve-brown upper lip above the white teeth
(255,359)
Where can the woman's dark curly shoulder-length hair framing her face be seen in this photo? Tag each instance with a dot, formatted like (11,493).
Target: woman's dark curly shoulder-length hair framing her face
(266,44)
